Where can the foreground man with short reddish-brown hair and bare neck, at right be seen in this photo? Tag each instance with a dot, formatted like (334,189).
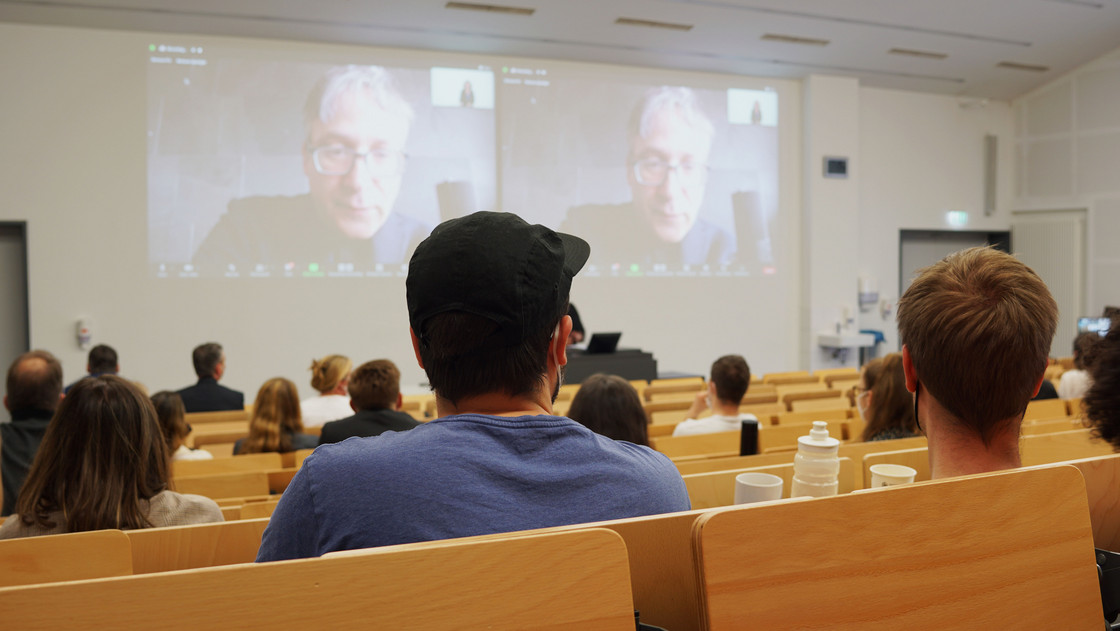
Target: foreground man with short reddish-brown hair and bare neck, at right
(976,330)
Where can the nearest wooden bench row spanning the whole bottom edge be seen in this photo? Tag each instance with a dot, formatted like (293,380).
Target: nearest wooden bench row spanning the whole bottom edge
(966,553)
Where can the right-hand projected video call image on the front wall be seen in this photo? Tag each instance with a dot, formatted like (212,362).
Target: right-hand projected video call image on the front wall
(659,179)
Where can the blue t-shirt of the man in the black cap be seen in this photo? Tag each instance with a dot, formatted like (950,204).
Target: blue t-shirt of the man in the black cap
(465,476)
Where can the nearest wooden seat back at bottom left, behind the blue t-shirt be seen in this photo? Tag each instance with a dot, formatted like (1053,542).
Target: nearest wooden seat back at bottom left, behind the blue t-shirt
(577,580)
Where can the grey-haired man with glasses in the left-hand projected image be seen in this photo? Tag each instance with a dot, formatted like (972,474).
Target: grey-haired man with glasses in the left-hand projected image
(354,160)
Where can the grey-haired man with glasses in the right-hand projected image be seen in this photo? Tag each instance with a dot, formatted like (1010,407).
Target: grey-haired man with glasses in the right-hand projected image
(670,142)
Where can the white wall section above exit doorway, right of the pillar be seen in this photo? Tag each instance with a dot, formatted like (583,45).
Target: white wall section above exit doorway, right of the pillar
(922,156)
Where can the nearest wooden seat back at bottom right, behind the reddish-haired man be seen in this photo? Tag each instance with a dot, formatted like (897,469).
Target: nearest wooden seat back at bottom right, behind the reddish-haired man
(969,553)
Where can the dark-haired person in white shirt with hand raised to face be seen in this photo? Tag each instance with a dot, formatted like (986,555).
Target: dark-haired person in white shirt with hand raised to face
(731,377)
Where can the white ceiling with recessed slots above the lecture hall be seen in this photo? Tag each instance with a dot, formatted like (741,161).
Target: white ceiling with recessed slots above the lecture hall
(726,35)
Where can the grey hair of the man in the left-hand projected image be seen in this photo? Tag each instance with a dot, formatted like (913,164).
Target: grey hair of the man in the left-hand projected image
(376,81)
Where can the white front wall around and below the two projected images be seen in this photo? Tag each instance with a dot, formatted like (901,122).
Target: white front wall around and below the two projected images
(73,165)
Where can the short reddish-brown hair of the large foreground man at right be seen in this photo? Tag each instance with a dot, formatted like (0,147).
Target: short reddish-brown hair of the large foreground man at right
(978,327)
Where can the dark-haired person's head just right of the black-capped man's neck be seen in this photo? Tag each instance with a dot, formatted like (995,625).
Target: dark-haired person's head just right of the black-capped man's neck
(609,405)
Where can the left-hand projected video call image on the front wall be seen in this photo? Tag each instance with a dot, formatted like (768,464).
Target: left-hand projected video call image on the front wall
(266,169)
